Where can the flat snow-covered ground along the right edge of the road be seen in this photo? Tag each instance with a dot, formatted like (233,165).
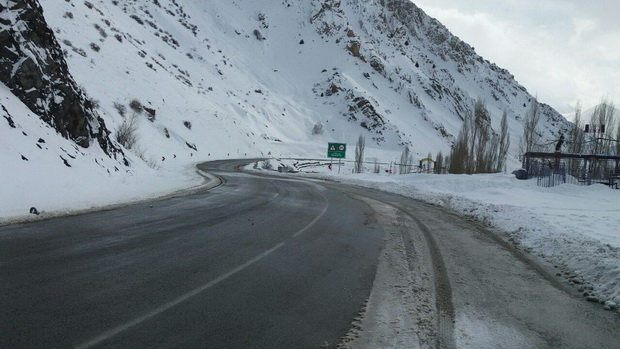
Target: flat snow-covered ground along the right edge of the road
(576,228)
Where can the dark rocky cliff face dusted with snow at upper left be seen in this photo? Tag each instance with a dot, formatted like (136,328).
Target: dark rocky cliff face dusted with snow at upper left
(33,67)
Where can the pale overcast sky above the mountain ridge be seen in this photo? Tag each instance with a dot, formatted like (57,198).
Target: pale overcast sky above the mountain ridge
(562,50)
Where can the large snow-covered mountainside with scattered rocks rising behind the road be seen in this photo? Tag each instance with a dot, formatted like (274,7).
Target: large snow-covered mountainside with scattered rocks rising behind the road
(211,79)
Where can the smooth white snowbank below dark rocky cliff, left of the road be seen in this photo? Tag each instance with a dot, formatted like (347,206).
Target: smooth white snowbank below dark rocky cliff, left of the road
(40,169)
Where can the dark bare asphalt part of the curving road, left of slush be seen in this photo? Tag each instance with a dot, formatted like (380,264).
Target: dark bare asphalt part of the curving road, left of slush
(256,262)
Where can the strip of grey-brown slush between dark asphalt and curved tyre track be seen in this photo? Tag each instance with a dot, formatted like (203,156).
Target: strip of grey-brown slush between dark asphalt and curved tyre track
(396,315)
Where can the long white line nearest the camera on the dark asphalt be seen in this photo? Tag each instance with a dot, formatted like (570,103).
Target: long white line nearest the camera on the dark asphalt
(113,332)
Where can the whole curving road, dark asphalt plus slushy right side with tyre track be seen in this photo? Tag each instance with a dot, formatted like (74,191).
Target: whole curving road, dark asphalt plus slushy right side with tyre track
(270,262)
